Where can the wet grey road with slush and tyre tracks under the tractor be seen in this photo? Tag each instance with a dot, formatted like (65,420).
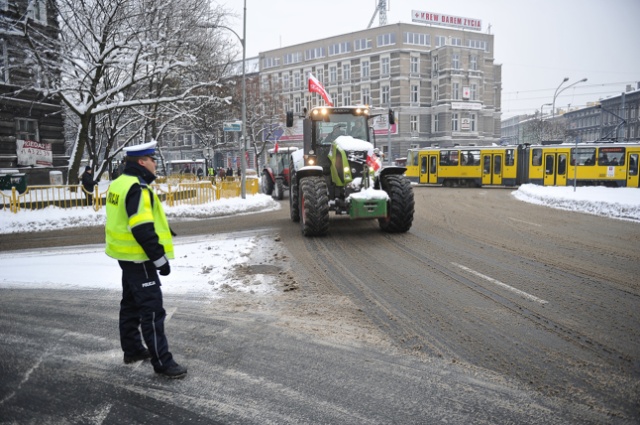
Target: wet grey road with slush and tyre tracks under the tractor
(381,328)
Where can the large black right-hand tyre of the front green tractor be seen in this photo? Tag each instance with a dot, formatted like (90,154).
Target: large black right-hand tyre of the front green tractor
(401,204)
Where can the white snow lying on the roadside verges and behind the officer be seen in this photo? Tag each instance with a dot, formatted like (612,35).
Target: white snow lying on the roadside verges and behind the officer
(204,265)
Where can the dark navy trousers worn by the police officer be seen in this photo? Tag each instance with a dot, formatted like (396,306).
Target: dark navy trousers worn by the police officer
(141,306)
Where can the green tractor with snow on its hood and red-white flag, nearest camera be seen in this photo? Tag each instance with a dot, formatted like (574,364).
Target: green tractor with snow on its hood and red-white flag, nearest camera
(339,170)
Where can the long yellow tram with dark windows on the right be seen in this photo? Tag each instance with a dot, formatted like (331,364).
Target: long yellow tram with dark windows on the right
(608,164)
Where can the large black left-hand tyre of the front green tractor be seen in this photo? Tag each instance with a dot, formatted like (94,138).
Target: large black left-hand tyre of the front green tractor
(314,206)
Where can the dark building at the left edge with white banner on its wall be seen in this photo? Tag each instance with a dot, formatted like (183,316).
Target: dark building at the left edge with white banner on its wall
(31,126)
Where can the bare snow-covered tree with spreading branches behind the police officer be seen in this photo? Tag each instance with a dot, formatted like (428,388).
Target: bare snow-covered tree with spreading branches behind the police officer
(124,67)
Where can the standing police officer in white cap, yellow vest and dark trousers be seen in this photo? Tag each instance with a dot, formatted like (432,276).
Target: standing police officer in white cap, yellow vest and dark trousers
(139,237)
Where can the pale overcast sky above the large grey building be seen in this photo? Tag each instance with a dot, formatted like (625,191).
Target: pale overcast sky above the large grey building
(538,43)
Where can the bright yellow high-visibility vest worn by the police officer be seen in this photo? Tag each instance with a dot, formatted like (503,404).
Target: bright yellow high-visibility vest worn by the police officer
(120,243)
